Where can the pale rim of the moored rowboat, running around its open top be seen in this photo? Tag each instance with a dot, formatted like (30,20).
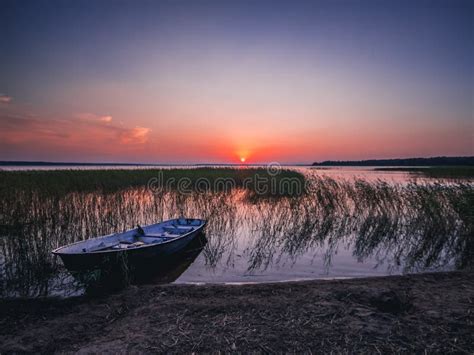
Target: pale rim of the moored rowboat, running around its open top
(58,252)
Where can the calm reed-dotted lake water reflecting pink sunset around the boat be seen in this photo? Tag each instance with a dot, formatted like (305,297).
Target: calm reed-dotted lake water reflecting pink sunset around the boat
(351,223)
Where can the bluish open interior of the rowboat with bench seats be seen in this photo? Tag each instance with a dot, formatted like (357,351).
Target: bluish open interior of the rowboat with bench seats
(138,237)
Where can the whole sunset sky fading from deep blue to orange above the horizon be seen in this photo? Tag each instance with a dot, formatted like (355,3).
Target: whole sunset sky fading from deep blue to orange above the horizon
(224,81)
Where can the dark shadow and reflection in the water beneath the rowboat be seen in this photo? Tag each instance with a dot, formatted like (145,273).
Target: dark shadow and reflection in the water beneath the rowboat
(120,272)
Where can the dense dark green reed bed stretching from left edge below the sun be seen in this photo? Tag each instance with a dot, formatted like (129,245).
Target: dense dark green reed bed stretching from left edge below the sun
(60,182)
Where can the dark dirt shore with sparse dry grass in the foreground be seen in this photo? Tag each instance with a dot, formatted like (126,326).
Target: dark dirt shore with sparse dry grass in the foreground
(415,313)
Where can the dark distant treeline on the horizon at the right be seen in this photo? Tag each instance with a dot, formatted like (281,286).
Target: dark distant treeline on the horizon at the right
(435,161)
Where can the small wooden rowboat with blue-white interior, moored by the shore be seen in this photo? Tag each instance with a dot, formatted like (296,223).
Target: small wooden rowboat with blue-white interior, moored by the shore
(138,249)
